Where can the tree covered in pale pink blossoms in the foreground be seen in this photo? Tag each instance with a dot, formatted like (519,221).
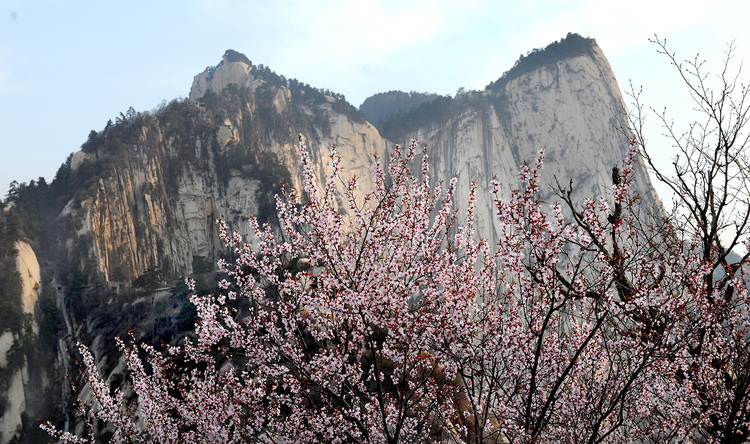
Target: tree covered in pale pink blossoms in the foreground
(389,320)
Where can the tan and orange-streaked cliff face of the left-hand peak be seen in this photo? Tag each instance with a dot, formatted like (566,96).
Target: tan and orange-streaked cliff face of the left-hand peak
(157,204)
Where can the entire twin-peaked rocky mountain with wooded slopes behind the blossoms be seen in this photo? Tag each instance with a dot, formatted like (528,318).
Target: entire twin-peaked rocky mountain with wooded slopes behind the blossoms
(133,212)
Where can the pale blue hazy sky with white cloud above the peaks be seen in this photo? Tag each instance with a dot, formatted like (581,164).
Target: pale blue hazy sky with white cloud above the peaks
(66,67)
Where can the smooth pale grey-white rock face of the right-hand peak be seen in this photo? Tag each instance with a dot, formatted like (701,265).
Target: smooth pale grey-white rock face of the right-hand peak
(571,109)
